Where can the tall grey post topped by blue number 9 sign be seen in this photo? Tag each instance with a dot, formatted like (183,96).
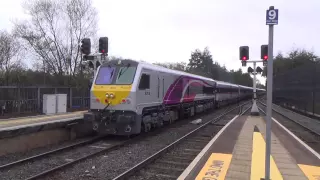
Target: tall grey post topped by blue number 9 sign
(271,20)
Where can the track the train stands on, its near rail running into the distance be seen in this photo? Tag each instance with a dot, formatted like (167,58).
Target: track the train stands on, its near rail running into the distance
(43,164)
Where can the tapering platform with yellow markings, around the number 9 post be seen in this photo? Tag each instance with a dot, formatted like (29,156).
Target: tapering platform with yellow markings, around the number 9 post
(238,152)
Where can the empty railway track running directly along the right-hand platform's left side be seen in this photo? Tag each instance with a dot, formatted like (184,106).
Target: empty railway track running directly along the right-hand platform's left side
(172,160)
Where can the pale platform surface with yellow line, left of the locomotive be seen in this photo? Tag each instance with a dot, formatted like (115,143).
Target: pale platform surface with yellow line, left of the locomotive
(16,123)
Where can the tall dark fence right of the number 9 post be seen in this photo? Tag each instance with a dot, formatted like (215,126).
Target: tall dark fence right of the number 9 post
(299,89)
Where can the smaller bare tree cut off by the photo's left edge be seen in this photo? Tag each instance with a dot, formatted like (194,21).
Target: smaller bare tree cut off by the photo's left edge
(10,54)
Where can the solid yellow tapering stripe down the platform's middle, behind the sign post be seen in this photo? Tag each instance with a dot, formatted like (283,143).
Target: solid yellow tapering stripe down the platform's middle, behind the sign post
(258,160)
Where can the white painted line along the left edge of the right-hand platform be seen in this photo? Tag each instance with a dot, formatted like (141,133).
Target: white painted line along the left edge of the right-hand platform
(191,166)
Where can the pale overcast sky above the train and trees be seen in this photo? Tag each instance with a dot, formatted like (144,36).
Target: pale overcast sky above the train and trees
(168,30)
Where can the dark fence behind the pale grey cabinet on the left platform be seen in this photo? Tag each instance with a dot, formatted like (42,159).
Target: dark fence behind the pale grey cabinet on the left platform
(29,100)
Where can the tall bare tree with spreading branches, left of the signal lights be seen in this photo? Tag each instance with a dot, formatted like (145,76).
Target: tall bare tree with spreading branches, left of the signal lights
(55,31)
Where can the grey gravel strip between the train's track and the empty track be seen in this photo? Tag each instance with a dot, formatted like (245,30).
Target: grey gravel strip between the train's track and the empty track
(114,163)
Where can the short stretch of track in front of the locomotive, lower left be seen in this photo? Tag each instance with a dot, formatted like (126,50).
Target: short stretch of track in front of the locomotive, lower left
(54,160)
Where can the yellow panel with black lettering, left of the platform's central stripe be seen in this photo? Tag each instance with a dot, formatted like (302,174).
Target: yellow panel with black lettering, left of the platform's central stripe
(216,167)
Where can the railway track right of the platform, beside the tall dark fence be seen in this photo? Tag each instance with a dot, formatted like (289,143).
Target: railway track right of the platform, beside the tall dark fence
(301,130)
